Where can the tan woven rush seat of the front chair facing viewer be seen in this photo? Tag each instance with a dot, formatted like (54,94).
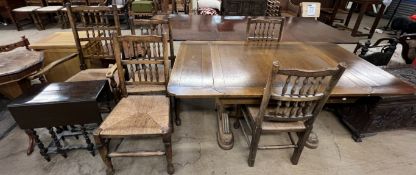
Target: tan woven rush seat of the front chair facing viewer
(138,115)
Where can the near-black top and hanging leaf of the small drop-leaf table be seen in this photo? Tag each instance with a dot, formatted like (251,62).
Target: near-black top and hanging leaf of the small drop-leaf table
(60,104)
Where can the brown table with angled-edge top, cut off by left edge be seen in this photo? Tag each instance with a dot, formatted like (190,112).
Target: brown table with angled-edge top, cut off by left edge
(15,66)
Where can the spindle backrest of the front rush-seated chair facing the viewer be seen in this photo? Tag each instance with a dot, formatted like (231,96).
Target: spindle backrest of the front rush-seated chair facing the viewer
(145,59)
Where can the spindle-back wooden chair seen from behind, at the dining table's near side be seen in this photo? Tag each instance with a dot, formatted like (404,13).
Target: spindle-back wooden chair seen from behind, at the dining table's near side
(291,102)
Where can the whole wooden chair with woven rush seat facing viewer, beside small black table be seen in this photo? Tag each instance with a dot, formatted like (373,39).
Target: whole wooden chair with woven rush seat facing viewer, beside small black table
(136,115)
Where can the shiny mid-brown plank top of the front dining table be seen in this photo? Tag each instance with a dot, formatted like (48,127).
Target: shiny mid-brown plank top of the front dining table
(227,69)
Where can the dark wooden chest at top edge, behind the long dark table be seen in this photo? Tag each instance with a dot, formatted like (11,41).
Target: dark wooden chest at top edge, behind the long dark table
(244,7)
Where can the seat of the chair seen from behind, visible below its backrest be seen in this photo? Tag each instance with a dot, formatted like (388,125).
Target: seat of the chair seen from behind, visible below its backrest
(269,126)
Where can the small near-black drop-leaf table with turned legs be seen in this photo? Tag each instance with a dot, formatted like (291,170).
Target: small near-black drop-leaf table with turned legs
(58,105)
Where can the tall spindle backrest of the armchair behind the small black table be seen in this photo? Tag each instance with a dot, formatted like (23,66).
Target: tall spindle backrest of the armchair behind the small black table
(96,25)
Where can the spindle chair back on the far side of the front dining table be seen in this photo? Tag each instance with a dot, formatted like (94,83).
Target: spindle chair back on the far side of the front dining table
(265,30)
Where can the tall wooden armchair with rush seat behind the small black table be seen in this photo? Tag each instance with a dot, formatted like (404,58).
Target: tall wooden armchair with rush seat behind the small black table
(96,28)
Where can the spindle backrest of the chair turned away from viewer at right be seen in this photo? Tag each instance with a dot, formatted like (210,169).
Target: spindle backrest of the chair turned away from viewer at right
(300,96)
